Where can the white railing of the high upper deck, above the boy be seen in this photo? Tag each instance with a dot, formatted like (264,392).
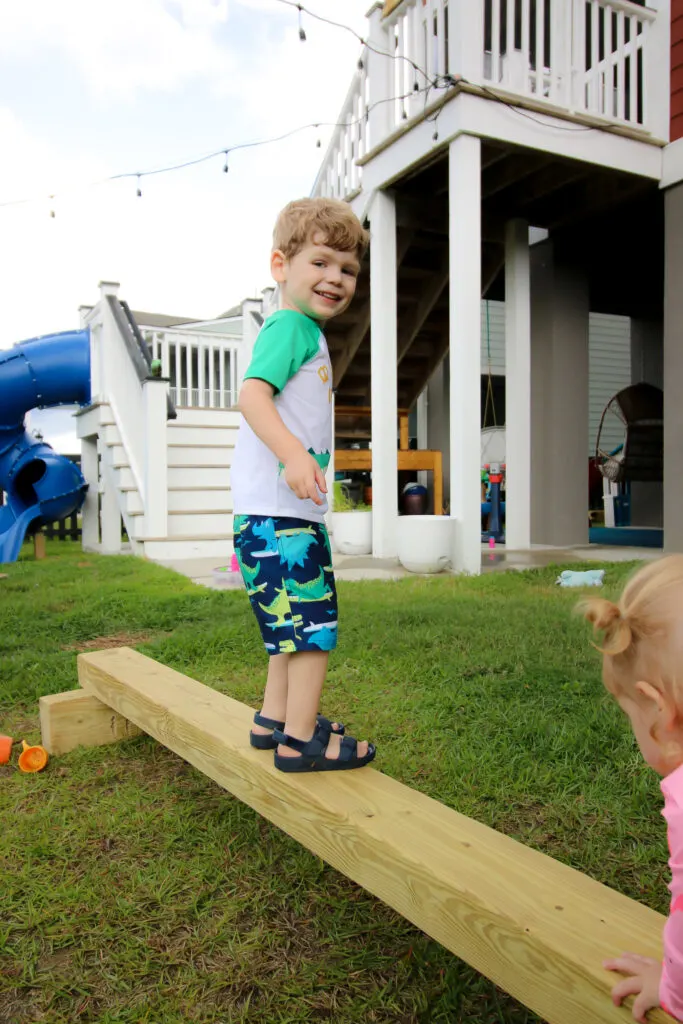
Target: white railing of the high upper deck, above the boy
(609,59)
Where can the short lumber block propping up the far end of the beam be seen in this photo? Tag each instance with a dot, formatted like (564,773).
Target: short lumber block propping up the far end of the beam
(78,719)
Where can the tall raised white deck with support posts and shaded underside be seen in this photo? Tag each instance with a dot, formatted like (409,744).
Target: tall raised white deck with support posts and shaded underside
(468,123)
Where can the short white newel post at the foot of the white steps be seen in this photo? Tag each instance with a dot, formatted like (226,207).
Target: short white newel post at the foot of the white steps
(155,392)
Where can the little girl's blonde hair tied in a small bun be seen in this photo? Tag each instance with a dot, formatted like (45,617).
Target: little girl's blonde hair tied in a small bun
(643,634)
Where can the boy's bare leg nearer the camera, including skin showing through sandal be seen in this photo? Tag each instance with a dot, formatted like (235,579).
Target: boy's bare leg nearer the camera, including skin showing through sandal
(307,672)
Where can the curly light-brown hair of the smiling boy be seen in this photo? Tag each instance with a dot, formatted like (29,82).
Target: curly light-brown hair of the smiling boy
(335,221)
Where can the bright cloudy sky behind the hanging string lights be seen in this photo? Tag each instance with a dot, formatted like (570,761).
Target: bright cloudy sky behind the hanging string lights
(95,89)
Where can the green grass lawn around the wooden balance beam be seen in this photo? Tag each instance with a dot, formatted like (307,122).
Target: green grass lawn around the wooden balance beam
(134,889)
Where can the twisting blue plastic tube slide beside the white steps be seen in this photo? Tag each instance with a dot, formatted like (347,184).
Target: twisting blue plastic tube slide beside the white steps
(40,486)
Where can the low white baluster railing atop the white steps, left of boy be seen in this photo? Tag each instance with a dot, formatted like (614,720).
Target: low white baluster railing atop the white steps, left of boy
(202,367)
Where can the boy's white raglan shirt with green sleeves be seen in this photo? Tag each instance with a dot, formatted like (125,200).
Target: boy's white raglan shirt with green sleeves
(290,354)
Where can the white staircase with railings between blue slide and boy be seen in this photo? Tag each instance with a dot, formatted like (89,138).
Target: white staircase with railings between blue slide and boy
(157,449)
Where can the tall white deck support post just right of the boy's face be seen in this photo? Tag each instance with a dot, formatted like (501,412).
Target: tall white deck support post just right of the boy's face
(385,388)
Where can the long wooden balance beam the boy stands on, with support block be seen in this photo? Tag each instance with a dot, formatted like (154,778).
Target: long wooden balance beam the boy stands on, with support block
(533,926)
